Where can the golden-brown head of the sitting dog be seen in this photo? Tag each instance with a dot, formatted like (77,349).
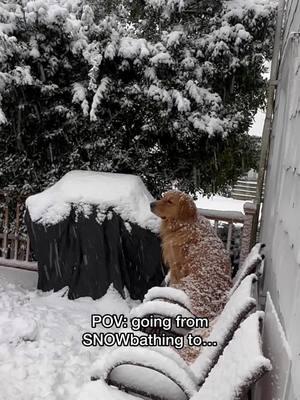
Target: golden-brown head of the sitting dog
(175,206)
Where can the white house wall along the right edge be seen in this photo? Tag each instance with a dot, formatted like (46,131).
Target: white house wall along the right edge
(281,216)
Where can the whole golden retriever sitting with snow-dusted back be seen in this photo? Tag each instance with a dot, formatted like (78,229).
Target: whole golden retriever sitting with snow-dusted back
(196,257)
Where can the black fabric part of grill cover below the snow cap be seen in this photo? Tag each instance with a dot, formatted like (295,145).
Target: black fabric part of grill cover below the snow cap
(88,256)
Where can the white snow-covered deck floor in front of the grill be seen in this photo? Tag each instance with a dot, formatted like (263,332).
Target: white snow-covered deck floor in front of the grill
(41,354)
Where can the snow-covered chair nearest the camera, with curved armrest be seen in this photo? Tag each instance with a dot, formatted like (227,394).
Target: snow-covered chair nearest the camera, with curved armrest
(163,375)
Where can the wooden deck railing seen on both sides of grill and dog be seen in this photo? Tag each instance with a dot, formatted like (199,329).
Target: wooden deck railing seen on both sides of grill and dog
(15,244)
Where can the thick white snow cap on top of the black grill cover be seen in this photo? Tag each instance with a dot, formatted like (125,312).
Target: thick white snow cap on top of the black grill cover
(124,194)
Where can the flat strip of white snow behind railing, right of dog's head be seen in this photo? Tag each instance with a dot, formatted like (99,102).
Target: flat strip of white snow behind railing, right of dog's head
(220,203)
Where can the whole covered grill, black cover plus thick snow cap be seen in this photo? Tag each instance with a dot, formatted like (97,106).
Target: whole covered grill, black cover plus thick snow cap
(91,229)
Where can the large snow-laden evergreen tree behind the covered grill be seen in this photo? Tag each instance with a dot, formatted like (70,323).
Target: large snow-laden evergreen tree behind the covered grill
(166,89)
